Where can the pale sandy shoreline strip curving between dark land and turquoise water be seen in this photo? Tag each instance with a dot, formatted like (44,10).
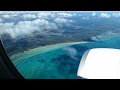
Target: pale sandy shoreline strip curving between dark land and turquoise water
(44,49)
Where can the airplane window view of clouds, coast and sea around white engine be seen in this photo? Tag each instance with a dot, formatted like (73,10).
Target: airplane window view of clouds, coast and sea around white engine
(50,44)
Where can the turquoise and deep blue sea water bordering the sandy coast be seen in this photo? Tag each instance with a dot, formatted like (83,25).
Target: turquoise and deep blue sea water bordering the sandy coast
(62,62)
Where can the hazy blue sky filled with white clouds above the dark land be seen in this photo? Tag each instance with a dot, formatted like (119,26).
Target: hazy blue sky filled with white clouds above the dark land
(21,23)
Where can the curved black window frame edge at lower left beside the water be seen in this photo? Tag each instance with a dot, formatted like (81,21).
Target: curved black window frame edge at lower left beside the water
(8,65)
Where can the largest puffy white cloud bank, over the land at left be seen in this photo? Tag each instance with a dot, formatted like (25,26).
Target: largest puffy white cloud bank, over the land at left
(24,28)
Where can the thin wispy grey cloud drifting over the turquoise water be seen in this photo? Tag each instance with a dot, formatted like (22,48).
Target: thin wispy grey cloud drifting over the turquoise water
(71,51)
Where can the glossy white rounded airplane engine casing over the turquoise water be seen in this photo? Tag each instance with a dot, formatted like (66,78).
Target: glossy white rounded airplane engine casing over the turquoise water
(100,63)
